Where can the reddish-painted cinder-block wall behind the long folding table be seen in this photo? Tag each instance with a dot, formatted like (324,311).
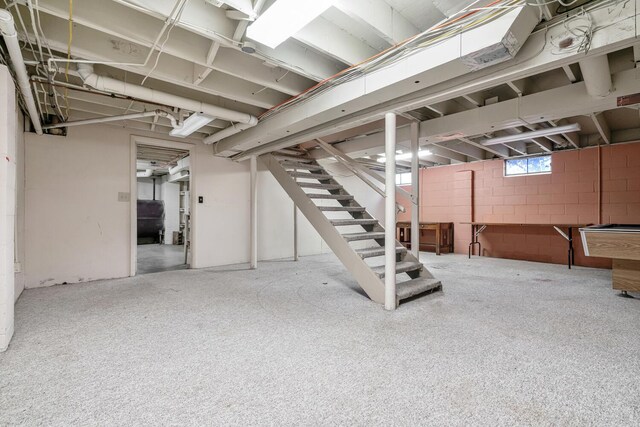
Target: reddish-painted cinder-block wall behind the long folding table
(568,195)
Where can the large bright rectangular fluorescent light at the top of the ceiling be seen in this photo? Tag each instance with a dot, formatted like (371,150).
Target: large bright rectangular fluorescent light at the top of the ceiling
(285,18)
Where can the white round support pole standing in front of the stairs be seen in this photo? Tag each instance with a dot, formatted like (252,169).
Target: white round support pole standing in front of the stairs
(390,213)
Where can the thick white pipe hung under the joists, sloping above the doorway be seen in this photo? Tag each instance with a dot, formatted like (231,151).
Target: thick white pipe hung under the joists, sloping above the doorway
(122,88)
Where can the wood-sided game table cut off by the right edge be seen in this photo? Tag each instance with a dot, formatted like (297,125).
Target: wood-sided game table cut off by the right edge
(622,244)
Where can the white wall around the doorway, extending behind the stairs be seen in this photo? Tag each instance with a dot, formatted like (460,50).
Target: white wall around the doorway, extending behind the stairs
(77,230)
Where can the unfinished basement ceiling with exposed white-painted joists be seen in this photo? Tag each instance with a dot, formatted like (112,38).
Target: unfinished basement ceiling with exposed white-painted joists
(193,49)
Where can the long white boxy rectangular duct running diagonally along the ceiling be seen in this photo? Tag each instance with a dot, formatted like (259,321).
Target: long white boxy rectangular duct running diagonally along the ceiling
(470,50)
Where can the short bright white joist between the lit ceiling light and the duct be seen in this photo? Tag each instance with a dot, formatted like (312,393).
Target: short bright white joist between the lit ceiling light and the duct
(384,20)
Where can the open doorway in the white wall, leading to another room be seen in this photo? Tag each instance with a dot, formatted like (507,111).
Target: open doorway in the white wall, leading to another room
(162,211)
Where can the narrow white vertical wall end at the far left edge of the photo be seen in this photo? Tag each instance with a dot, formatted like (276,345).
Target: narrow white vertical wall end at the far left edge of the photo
(8,172)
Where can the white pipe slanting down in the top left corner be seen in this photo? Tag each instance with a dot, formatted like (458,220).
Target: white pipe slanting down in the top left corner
(8,30)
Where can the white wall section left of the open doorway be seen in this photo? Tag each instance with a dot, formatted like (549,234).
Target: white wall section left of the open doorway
(76,229)
